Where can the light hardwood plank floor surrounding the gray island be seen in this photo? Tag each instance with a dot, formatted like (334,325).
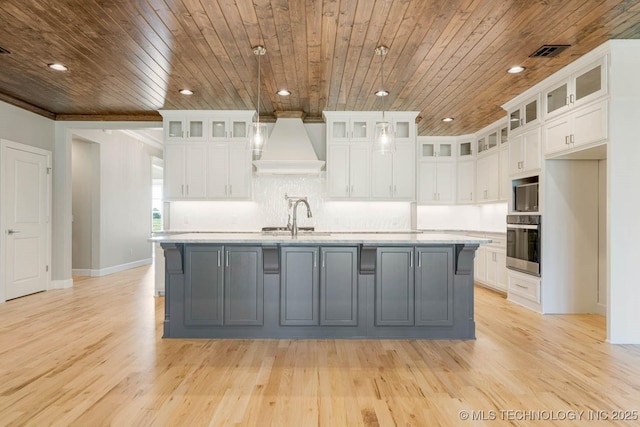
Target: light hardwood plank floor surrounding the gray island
(93,355)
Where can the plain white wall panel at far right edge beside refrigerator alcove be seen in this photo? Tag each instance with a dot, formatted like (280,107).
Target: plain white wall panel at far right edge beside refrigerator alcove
(623,195)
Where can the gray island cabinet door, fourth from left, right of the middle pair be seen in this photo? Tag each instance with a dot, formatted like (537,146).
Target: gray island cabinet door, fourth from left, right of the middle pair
(339,287)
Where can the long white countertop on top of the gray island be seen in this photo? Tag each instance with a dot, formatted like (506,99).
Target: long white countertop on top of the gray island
(408,238)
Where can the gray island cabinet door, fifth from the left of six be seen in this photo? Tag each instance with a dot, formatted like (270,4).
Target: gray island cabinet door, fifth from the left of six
(394,287)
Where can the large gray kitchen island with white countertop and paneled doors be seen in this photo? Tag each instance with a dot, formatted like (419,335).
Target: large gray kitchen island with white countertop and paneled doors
(319,285)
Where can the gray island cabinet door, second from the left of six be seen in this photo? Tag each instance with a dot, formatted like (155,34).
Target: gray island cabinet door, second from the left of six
(243,286)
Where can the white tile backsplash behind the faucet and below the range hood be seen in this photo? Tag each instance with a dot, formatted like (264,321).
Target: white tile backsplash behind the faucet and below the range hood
(270,208)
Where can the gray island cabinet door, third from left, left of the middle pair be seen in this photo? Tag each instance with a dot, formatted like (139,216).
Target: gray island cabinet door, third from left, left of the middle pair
(299,305)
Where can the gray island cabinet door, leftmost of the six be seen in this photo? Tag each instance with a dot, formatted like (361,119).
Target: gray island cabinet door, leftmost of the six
(203,302)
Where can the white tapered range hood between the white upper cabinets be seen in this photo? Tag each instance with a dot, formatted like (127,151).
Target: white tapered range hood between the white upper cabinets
(289,150)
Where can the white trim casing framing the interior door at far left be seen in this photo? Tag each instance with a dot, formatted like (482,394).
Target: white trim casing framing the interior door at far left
(4,145)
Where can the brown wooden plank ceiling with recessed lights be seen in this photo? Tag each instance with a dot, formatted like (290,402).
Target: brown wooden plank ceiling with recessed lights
(128,58)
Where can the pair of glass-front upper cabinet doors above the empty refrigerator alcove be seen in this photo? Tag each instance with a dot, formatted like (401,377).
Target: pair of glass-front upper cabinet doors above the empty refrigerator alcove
(582,87)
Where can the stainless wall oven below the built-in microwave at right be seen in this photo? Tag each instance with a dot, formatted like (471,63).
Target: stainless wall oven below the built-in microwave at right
(523,243)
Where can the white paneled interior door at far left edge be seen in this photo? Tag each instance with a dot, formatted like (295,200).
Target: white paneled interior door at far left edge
(25,210)
